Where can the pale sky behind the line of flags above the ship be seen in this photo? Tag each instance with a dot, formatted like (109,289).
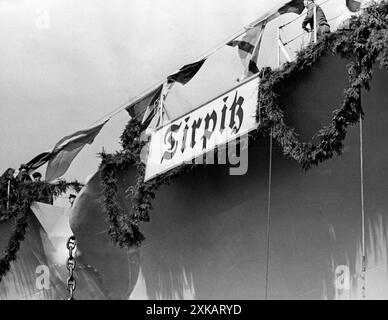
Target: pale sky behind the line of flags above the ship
(96,54)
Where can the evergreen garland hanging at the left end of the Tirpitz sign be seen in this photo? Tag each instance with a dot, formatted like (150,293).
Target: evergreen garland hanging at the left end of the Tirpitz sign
(124,229)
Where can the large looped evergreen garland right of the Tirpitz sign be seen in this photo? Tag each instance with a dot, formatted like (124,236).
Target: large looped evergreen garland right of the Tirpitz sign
(366,43)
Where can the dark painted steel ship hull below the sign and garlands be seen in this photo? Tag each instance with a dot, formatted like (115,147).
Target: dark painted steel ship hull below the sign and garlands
(207,234)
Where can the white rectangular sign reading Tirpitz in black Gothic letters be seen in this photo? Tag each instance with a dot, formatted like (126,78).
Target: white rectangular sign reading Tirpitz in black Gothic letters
(202,130)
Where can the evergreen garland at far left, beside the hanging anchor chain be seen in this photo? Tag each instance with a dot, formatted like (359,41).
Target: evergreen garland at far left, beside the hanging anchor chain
(17,206)
